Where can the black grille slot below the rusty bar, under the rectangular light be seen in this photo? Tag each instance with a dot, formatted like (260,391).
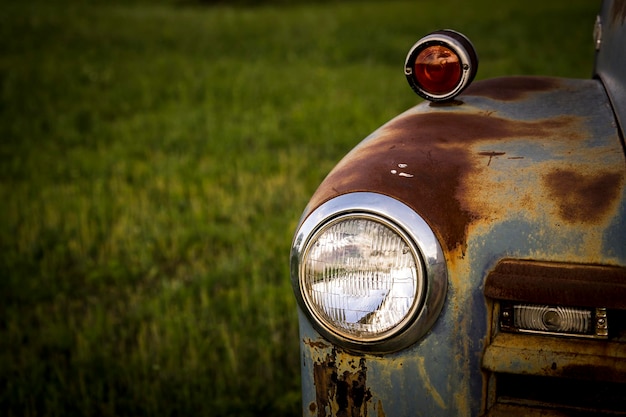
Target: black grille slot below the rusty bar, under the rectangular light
(579,396)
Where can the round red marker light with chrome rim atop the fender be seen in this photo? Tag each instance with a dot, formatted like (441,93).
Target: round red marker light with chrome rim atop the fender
(441,65)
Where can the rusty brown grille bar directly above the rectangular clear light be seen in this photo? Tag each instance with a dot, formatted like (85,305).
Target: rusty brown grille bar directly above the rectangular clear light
(555,283)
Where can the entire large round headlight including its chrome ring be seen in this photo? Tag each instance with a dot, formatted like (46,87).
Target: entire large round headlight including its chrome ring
(368,272)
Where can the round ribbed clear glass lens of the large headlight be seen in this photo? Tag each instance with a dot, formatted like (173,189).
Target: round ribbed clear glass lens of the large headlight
(362,277)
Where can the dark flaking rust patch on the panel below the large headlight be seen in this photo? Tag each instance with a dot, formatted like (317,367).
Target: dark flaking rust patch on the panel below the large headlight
(340,393)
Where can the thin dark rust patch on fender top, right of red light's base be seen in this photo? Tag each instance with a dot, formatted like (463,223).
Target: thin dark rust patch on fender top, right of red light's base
(511,88)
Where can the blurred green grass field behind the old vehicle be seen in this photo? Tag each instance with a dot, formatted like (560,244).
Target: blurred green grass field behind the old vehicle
(155,158)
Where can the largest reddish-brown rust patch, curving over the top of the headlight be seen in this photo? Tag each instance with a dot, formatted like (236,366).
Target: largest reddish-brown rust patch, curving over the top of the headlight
(436,147)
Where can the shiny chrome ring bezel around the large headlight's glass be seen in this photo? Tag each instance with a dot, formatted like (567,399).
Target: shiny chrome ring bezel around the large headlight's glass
(414,230)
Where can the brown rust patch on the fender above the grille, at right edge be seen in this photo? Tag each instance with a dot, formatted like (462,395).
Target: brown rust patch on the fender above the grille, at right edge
(582,198)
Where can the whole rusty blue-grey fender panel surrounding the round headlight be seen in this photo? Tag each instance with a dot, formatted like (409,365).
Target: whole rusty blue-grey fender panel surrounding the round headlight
(527,168)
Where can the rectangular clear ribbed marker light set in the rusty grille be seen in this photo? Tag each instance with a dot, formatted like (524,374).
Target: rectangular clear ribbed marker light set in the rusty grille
(532,318)
